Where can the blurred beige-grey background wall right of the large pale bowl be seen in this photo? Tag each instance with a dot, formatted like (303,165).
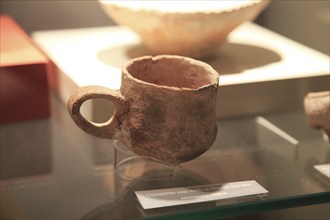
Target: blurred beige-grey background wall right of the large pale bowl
(306,21)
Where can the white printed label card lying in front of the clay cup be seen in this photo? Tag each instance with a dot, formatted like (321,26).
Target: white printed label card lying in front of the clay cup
(158,198)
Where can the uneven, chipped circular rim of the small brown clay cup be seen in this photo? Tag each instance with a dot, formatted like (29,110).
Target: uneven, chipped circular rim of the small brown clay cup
(207,67)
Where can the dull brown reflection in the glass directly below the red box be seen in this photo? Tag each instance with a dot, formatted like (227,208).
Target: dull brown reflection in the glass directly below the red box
(25,151)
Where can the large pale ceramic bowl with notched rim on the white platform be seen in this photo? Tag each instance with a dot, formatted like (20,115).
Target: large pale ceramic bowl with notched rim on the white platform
(188,28)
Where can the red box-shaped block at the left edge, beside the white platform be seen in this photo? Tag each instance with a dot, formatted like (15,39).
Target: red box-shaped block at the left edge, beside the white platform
(24,90)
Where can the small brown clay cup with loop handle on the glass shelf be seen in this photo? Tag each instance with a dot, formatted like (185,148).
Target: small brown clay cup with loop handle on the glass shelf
(165,108)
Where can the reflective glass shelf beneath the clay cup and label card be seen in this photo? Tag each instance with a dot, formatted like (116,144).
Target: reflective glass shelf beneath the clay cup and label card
(50,169)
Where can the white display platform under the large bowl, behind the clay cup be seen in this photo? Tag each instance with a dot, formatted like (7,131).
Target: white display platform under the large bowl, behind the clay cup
(256,66)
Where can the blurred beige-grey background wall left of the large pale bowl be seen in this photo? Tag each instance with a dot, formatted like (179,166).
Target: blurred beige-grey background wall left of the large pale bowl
(35,15)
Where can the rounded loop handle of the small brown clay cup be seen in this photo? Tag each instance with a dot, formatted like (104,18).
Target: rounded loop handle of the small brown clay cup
(107,129)
